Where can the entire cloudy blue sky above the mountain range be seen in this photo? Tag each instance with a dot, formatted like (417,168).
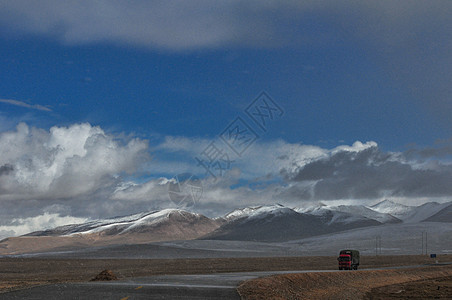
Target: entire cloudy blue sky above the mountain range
(159,81)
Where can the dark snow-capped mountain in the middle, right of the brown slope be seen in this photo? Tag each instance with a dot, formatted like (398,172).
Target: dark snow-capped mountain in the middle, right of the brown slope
(279,223)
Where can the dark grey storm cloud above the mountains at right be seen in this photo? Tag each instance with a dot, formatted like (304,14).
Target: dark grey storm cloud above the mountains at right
(370,174)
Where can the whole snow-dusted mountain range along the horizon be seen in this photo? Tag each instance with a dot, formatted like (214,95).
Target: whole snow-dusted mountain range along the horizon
(271,223)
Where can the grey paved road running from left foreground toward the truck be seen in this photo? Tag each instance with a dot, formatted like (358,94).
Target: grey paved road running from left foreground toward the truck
(212,286)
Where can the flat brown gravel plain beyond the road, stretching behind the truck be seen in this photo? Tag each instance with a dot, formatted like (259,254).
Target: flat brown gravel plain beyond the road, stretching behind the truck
(16,273)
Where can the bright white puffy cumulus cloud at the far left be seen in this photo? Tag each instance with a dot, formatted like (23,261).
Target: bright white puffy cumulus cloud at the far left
(63,162)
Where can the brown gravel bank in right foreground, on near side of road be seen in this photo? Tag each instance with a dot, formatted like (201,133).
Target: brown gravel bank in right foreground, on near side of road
(369,284)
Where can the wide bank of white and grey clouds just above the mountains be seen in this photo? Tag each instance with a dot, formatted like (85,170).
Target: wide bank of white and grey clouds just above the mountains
(79,172)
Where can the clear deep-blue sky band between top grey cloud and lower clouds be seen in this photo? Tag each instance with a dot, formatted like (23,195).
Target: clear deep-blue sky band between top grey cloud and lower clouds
(331,94)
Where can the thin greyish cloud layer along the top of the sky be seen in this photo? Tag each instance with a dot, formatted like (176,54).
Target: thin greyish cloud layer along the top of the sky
(178,24)
